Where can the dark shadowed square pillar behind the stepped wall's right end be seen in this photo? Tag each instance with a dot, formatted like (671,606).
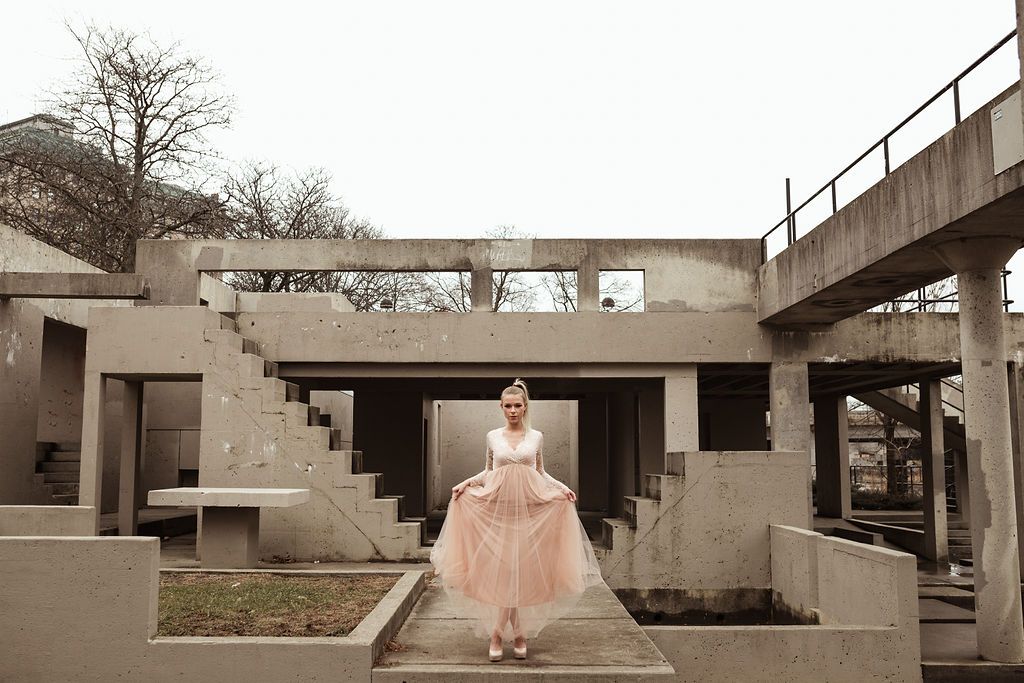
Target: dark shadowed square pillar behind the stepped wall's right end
(832,456)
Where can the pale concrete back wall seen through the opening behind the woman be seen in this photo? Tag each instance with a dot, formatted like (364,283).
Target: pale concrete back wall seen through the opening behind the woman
(464,424)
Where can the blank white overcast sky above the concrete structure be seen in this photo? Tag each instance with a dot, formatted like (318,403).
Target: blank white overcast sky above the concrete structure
(566,119)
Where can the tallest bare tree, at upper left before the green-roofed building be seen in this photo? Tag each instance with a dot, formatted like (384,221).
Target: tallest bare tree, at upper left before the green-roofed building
(122,154)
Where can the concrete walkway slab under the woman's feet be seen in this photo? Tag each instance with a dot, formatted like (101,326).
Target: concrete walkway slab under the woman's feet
(599,642)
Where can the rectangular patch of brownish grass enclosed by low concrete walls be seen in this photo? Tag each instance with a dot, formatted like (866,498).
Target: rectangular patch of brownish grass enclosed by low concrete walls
(267,605)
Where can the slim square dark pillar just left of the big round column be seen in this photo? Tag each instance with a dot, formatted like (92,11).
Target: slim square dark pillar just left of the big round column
(933,460)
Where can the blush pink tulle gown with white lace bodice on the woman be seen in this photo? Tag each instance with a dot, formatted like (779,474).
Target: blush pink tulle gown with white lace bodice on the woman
(514,540)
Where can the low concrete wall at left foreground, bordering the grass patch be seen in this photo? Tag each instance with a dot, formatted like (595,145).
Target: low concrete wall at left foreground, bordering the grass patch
(105,590)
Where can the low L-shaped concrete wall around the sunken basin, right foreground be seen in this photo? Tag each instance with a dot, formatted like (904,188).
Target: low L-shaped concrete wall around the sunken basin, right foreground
(866,597)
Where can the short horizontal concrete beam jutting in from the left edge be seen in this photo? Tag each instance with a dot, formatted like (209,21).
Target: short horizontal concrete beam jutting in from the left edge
(73,286)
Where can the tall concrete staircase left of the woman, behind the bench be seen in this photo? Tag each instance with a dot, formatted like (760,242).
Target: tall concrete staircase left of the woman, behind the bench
(257,433)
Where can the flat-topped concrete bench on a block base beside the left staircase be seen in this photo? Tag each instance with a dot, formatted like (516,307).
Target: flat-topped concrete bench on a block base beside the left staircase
(230,533)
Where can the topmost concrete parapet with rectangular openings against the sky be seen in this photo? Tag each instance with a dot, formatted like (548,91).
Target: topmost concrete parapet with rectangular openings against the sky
(680,275)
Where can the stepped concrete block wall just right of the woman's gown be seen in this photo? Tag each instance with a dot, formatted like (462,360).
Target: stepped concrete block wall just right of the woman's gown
(707,533)
